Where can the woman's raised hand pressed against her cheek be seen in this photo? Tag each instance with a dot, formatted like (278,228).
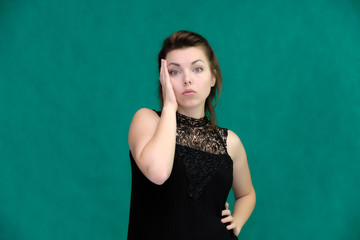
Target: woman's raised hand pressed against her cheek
(169,98)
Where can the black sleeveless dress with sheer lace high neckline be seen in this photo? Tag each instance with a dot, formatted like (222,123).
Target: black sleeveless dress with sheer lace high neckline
(188,205)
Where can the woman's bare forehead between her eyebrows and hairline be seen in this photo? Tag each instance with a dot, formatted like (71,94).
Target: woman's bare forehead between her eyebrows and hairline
(186,55)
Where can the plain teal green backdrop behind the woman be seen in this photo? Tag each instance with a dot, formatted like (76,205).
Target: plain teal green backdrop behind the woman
(74,72)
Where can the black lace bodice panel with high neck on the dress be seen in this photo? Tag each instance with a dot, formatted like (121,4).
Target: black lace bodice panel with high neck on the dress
(202,151)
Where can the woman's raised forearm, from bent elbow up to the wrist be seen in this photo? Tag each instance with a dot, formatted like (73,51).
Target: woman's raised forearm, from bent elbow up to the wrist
(160,150)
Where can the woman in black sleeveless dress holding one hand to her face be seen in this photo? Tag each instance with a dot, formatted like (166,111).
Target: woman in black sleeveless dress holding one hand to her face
(184,165)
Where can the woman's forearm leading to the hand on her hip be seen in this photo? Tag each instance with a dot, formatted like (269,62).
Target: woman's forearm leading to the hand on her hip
(243,208)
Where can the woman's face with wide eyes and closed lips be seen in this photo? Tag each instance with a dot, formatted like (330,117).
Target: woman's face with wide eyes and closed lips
(191,76)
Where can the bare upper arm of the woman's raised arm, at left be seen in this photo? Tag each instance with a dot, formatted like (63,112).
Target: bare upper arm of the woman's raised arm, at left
(142,129)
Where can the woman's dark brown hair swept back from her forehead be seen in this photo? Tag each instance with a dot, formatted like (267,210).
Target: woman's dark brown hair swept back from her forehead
(184,39)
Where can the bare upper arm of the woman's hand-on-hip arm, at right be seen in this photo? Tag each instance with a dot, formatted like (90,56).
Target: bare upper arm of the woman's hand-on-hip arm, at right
(242,184)
